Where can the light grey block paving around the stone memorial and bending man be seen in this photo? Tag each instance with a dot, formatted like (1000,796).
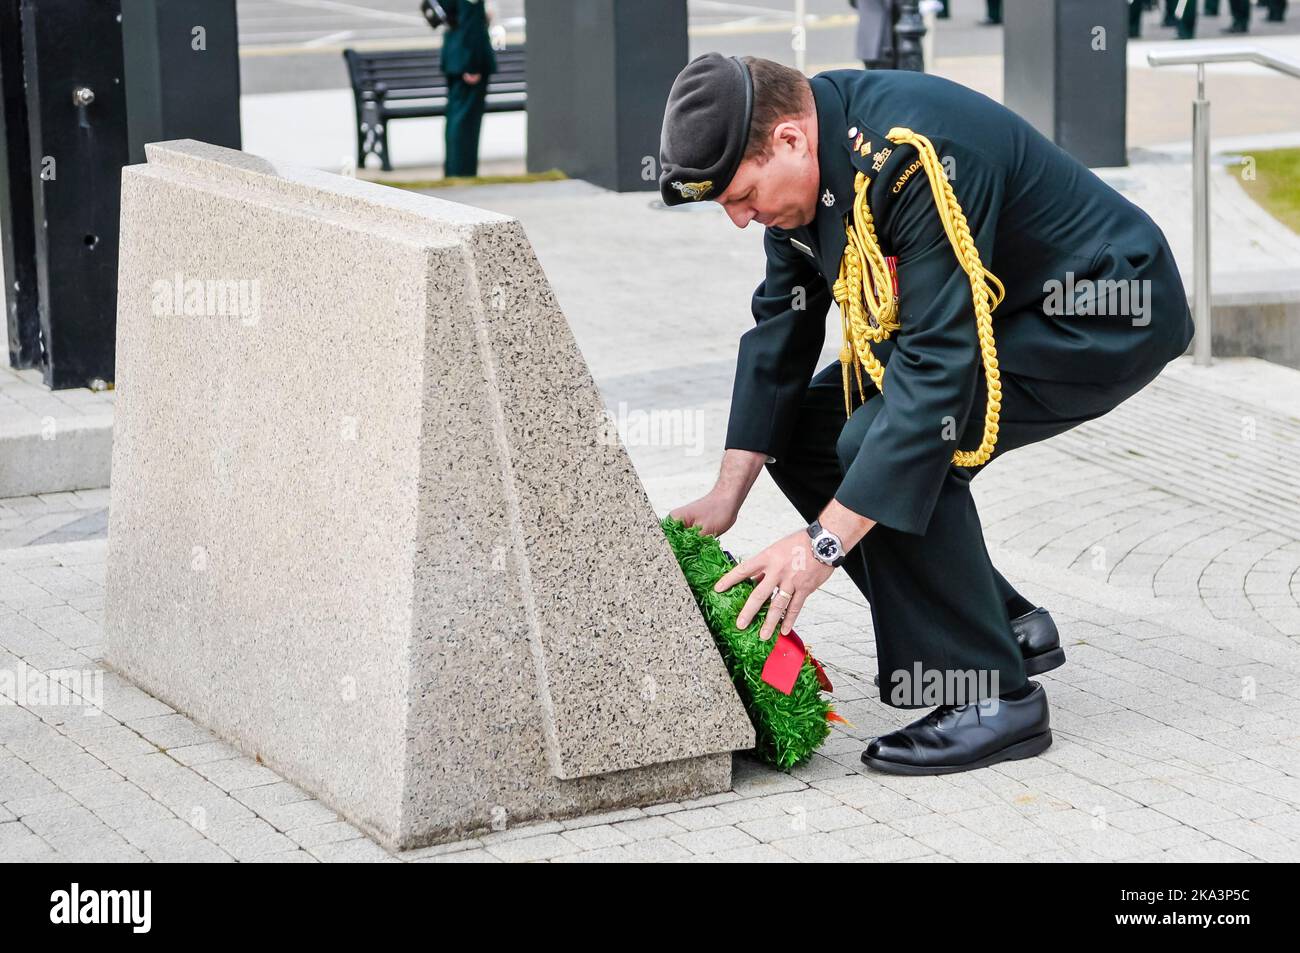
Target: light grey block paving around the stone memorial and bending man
(1165,539)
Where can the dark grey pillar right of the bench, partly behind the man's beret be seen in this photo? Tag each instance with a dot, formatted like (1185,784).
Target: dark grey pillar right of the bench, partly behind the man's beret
(599,79)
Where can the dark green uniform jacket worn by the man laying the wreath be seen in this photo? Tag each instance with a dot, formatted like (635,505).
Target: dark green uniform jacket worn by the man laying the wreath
(1039,219)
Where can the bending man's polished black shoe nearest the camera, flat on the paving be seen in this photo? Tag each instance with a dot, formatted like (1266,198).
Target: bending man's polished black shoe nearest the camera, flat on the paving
(961,738)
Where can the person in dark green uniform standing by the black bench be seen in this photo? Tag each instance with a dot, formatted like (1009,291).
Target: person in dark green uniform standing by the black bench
(469,60)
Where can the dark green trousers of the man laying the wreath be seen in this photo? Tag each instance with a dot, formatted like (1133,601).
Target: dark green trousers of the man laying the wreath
(937,600)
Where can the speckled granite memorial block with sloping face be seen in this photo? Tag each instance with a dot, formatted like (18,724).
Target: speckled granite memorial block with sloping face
(371,522)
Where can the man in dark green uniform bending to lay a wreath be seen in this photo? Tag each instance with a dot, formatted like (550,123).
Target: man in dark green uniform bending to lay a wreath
(920,207)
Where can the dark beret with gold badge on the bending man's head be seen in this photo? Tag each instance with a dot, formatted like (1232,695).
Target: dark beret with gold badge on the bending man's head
(705,128)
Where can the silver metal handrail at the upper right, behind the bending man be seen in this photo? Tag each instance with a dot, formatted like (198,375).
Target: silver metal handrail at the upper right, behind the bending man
(1202,168)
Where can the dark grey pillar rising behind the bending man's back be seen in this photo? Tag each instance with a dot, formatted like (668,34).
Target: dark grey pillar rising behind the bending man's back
(1064,70)
